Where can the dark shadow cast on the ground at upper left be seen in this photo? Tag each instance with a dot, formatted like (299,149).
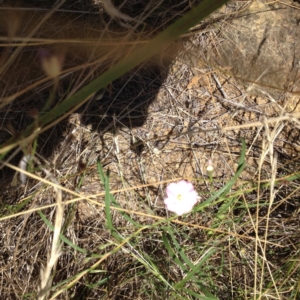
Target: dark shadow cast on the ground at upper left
(124,103)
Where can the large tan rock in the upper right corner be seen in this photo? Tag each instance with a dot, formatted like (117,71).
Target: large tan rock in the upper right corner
(262,45)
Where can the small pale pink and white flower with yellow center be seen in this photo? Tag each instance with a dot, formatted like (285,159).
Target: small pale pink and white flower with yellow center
(181,197)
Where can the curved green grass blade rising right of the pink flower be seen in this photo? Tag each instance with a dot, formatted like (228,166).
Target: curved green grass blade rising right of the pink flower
(223,191)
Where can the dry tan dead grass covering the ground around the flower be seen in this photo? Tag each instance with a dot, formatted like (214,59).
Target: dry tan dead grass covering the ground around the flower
(176,116)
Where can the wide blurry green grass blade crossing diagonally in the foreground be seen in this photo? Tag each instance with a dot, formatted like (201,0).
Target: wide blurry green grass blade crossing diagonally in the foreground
(163,39)
